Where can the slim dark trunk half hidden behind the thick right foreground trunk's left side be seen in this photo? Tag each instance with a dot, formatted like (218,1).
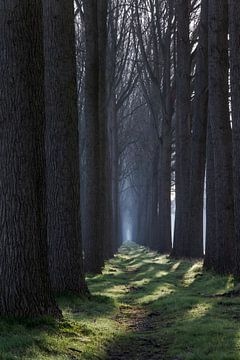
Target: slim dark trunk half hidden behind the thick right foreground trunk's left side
(210,259)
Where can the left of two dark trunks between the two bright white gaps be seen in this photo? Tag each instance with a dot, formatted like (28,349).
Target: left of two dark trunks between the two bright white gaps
(183,129)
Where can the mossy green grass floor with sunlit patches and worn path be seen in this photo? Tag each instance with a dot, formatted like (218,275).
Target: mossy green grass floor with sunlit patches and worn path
(143,307)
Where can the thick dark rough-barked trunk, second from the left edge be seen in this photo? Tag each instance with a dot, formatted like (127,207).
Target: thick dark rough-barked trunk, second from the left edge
(62,149)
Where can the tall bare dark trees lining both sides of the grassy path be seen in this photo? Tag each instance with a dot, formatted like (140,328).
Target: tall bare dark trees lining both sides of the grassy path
(115,115)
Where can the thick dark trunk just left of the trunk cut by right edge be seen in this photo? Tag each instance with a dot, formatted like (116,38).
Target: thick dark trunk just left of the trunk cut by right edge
(221,133)
